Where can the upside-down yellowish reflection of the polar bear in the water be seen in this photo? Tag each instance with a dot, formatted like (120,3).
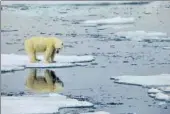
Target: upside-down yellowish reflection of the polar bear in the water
(48,83)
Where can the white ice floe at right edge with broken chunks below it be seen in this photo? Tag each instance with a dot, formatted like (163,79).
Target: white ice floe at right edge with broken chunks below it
(159,84)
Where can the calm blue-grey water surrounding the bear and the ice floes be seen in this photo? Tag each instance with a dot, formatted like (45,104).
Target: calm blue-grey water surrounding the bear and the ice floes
(113,57)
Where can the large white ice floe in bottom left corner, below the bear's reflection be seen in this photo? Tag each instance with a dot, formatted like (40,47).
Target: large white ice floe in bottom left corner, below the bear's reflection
(38,104)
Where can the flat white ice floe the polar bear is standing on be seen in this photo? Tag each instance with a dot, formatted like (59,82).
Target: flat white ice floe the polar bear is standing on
(18,62)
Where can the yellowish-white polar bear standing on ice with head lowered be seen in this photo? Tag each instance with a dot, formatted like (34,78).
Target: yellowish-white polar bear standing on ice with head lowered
(47,45)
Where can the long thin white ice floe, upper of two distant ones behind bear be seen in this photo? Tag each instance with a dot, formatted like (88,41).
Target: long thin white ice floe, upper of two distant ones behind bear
(115,20)
